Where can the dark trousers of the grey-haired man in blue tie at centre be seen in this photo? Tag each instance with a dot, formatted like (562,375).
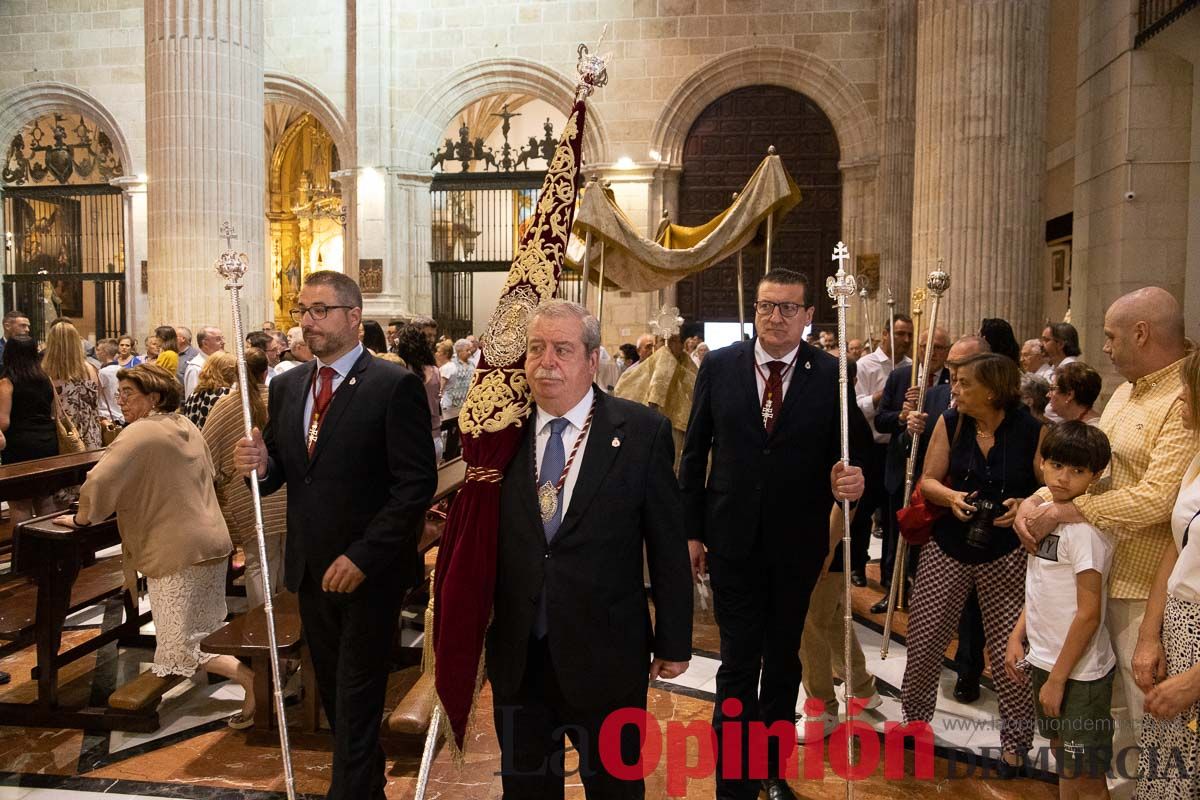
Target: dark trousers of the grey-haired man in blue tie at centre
(532,726)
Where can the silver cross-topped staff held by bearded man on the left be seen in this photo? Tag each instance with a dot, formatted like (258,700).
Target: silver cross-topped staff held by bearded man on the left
(232,267)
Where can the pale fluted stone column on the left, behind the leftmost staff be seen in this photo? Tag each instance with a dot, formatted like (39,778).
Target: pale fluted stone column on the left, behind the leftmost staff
(206,163)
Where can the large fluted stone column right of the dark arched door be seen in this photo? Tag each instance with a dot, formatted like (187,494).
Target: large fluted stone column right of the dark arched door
(981,158)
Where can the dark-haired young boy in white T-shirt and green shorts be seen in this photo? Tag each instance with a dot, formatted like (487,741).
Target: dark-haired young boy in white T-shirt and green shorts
(1070,652)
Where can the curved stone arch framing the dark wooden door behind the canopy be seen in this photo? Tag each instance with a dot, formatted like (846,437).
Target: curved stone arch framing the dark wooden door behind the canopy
(801,71)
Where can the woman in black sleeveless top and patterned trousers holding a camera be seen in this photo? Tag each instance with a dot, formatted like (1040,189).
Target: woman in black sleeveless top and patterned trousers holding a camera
(982,462)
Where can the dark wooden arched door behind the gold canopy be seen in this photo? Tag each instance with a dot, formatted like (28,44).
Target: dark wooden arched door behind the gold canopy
(724,147)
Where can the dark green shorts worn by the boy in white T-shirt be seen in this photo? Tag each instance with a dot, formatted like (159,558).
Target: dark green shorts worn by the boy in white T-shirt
(1085,729)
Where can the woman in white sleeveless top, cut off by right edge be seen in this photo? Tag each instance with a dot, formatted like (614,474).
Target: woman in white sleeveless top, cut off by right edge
(1167,660)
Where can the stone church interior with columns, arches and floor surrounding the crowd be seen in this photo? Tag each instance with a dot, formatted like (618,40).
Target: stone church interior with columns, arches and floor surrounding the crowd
(1045,153)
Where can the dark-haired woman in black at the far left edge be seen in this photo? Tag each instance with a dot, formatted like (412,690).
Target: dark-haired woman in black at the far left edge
(27,418)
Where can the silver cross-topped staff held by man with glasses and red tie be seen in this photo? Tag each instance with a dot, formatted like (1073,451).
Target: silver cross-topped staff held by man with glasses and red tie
(841,288)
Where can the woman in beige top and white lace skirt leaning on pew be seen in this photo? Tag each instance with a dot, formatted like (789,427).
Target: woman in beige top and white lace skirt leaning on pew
(158,478)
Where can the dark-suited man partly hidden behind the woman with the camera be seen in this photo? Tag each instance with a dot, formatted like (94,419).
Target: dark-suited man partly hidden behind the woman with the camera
(899,398)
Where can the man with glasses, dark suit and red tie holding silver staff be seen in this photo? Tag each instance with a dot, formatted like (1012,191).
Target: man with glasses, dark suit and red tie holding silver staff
(767,414)
